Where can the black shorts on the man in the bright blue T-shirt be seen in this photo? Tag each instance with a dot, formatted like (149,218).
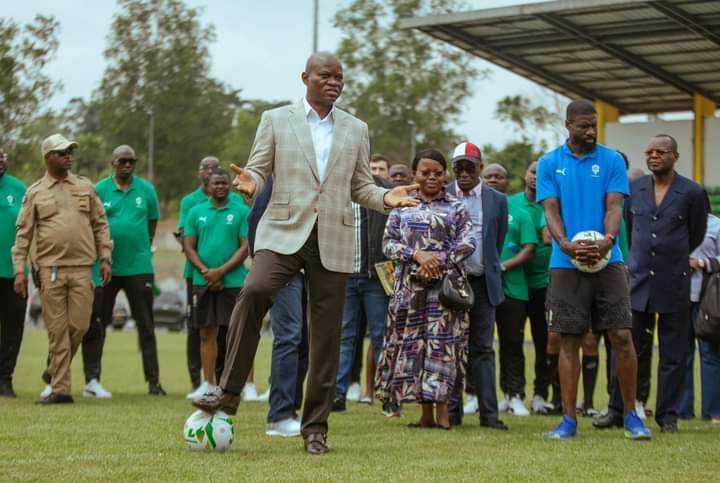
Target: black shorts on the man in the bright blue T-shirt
(578,301)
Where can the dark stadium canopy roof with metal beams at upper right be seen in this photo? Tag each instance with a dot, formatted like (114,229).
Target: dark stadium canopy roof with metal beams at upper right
(639,56)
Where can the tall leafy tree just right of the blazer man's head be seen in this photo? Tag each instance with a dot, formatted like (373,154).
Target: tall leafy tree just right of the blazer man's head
(400,80)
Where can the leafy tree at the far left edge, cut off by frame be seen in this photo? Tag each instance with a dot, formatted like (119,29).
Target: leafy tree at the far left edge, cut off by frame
(24,87)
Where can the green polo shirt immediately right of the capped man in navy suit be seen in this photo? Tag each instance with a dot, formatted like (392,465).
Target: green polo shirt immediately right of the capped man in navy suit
(521,231)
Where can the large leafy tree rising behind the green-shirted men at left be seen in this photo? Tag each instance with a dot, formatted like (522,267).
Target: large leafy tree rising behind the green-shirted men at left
(158,64)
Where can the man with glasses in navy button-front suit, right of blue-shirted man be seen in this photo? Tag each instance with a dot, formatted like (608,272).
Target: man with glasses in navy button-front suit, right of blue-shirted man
(666,218)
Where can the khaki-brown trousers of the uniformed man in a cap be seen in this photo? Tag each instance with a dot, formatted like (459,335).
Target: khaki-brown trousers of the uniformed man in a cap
(66,307)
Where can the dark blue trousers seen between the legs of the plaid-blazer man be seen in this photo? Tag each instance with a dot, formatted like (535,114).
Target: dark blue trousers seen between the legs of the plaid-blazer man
(290,350)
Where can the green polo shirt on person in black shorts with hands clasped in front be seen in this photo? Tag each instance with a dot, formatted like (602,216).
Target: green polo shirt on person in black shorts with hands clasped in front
(218,232)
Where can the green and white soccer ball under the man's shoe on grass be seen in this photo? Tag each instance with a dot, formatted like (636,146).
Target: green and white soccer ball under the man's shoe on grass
(208,432)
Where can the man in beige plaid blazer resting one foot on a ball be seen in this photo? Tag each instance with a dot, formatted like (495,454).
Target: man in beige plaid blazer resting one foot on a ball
(318,156)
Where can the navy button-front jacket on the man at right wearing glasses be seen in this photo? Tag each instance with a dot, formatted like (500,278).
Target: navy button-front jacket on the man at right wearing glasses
(661,241)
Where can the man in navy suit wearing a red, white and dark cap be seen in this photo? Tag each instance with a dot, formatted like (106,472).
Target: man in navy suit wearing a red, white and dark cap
(489,213)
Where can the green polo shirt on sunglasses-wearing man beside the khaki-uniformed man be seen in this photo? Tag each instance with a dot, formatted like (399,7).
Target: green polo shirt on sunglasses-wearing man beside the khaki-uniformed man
(129,213)
